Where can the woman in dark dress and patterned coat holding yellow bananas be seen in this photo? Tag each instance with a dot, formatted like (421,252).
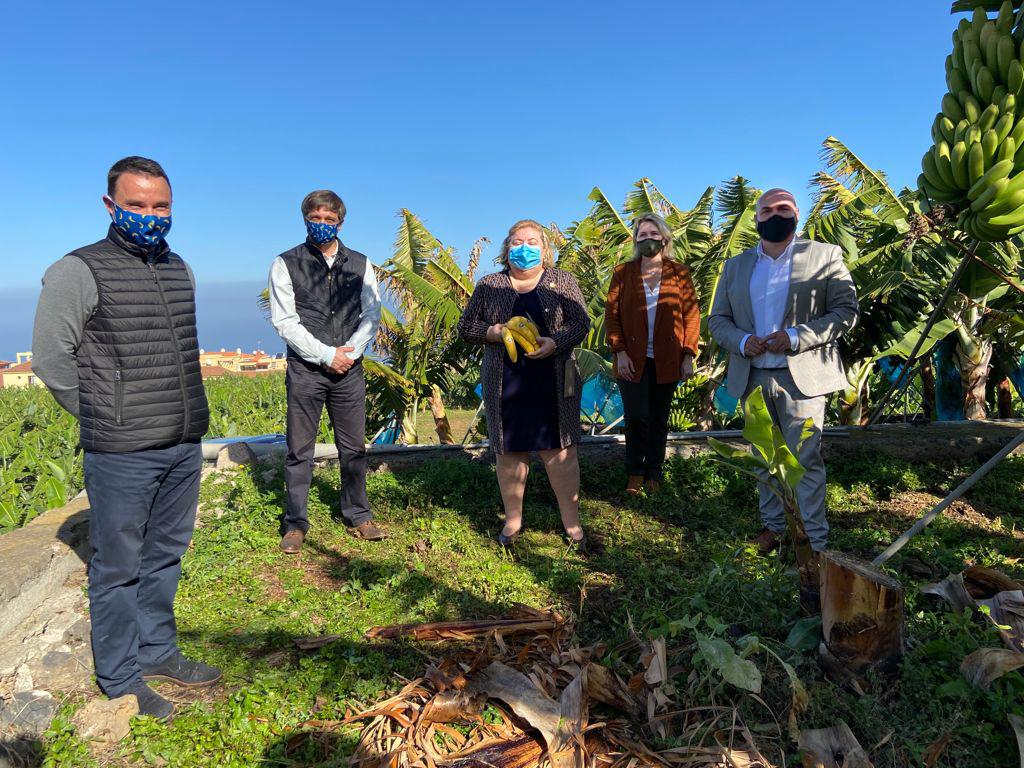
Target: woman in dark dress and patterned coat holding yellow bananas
(530,317)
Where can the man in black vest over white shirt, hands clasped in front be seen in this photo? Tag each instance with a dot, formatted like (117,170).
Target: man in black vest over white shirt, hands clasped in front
(326,306)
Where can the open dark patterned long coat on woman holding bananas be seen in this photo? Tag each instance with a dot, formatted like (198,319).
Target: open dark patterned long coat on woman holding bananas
(568,321)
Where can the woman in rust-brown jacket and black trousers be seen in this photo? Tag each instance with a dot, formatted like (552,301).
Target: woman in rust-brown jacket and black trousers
(653,323)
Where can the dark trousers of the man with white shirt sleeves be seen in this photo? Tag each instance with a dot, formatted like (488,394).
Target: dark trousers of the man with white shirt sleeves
(310,389)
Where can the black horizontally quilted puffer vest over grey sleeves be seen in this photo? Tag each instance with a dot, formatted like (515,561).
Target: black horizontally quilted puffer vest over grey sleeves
(140,382)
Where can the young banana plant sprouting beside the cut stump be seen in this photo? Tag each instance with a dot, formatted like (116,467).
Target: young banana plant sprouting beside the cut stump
(776,466)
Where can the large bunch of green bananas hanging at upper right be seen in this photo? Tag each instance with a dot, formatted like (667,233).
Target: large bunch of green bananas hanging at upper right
(977,161)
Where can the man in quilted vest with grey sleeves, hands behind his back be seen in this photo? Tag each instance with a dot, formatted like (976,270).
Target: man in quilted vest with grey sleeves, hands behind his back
(115,343)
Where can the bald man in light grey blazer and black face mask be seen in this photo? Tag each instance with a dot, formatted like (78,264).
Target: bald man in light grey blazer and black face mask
(780,311)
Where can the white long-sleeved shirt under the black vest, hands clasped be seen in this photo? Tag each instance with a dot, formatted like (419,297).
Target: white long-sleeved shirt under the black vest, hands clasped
(286,320)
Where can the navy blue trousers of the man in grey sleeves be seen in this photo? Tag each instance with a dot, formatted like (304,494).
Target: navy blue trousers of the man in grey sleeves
(143,510)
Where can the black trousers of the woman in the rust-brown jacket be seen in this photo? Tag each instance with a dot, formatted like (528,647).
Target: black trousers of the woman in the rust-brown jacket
(646,408)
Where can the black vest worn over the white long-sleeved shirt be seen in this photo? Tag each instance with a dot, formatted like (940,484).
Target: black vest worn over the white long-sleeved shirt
(328,302)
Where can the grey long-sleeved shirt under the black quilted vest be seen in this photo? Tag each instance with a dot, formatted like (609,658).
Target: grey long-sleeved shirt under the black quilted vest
(68,301)
